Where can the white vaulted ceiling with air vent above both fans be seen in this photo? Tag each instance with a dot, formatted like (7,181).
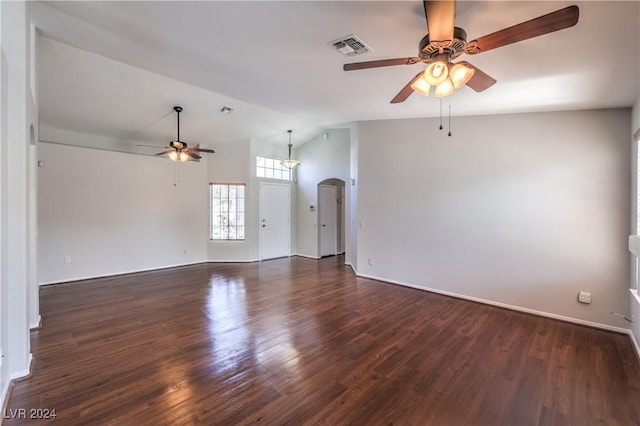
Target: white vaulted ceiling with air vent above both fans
(116,69)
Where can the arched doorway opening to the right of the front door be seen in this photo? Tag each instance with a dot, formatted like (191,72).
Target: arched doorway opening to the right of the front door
(331,217)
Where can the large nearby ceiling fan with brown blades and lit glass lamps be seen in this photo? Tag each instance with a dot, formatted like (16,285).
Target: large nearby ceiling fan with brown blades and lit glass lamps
(446,42)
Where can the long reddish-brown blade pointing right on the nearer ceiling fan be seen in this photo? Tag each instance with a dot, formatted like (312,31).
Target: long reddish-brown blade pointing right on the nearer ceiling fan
(554,21)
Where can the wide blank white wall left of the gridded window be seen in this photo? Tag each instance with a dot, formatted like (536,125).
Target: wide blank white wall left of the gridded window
(114,213)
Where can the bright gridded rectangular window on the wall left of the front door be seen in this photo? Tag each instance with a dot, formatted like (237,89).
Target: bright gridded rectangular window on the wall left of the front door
(227,211)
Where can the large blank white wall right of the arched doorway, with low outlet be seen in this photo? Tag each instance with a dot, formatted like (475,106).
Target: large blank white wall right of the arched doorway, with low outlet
(523,210)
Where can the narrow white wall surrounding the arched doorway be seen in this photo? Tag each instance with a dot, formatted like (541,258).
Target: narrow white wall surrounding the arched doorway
(320,159)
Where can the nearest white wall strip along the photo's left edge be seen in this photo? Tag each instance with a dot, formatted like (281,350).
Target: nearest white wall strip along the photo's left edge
(17,114)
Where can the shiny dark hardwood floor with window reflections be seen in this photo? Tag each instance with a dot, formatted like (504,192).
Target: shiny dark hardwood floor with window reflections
(298,341)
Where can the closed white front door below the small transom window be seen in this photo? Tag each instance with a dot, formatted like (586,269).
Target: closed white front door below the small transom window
(274,220)
